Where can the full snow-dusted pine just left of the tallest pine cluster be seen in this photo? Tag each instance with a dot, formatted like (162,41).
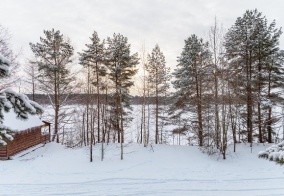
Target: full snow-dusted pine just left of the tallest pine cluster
(189,80)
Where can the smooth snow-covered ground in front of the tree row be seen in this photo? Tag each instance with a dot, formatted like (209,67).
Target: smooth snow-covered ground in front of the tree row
(161,170)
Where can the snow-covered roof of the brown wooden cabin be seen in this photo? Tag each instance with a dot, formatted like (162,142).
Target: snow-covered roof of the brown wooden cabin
(16,124)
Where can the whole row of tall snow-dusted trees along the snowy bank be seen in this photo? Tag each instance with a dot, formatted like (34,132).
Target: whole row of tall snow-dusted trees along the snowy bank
(226,86)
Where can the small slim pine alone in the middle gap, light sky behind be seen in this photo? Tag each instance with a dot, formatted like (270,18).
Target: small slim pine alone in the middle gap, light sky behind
(158,78)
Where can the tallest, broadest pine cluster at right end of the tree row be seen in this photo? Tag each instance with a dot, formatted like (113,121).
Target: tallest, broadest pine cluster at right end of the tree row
(249,43)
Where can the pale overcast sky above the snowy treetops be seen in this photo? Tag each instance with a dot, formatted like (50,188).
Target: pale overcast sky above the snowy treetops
(165,22)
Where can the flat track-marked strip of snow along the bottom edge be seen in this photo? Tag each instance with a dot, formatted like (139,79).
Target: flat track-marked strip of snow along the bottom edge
(132,186)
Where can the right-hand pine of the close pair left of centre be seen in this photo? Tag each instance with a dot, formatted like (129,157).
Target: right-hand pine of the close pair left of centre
(121,68)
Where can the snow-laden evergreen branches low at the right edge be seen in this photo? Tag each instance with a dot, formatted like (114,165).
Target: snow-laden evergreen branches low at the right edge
(274,153)
